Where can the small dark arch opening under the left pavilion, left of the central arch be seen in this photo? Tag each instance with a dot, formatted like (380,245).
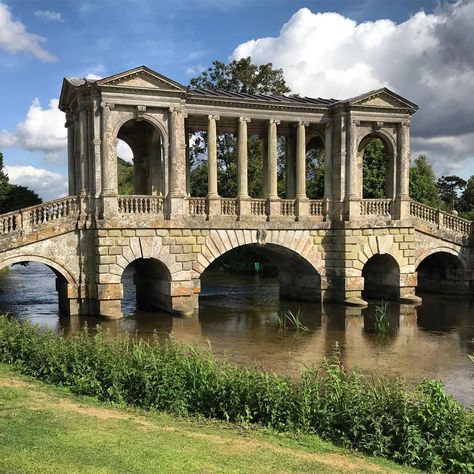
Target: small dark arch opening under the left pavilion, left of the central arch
(146,286)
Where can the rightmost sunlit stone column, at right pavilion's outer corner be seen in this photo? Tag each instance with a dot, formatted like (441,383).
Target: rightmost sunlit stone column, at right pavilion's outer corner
(403,172)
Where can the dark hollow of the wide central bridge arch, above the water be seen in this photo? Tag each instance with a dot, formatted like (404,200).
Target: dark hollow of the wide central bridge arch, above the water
(296,277)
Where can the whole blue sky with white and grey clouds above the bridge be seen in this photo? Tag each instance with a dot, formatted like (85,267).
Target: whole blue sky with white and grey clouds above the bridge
(421,49)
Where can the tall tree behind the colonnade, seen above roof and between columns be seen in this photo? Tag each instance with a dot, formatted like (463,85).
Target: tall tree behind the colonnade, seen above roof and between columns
(242,77)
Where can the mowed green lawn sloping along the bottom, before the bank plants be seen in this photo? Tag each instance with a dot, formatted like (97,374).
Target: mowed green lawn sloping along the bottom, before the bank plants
(45,429)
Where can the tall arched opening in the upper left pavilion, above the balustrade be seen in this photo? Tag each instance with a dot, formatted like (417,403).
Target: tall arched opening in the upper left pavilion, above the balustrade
(143,147)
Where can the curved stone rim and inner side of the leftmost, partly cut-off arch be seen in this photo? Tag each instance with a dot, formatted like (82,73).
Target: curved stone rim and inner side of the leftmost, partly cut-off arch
(65,283)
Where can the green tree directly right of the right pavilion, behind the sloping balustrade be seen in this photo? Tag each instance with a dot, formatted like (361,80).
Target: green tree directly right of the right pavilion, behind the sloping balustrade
(423,187)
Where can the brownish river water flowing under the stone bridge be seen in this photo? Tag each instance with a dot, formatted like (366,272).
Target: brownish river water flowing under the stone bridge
(236,319)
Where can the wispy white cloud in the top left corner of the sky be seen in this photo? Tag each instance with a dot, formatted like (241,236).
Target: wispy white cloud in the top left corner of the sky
(15,39)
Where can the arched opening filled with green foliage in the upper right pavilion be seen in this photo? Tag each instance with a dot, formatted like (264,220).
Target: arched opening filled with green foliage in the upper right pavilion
(377,168)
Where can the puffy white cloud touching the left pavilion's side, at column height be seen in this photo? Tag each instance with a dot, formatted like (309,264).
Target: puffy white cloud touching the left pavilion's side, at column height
(42,130)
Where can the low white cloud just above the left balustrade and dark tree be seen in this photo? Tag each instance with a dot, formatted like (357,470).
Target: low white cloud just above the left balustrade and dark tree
(47,184)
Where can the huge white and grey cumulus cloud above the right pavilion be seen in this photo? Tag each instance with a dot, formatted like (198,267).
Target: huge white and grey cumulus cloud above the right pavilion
(429,59)
